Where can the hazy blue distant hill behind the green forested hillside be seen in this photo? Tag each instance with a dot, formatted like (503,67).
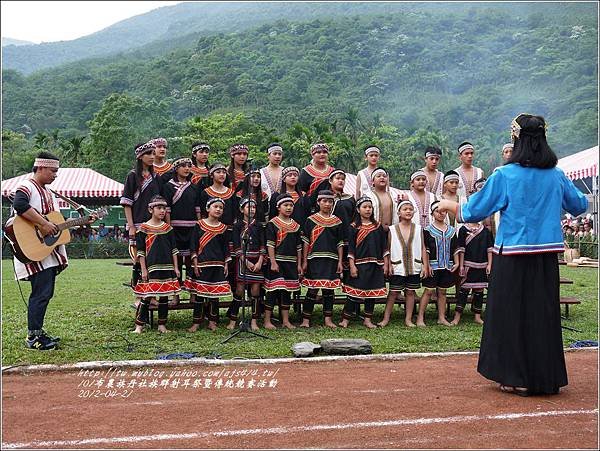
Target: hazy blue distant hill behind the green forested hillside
(180,25)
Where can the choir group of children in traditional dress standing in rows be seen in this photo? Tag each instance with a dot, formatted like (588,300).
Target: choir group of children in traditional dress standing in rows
(267,232)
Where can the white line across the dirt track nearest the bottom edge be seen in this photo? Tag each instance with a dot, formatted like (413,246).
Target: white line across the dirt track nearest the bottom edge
(295,429)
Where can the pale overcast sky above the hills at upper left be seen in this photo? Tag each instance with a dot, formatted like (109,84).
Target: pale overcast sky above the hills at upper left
(50,21)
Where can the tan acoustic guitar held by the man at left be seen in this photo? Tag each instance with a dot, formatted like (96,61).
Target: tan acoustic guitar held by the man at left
(30,245)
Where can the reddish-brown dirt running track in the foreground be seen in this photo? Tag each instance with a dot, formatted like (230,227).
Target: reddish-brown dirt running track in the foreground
(433,402)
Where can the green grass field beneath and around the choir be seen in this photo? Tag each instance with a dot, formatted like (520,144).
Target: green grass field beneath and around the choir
(91,312)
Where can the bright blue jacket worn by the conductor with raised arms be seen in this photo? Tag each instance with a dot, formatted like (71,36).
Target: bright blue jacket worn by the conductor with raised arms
(530,201)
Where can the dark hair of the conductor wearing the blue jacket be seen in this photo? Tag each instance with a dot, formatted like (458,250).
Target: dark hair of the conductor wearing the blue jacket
(531,148)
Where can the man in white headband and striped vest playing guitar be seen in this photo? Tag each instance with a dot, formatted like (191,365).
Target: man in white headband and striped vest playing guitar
(32,201)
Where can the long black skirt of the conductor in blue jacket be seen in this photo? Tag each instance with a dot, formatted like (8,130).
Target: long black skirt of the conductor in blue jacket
(522,342)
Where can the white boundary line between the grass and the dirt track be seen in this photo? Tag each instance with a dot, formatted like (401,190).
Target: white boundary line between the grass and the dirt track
(216,362)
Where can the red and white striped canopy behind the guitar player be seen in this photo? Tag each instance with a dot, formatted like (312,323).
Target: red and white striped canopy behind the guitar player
(73,182)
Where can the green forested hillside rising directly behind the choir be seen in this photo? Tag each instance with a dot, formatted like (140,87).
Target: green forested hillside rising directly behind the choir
(402,80)
